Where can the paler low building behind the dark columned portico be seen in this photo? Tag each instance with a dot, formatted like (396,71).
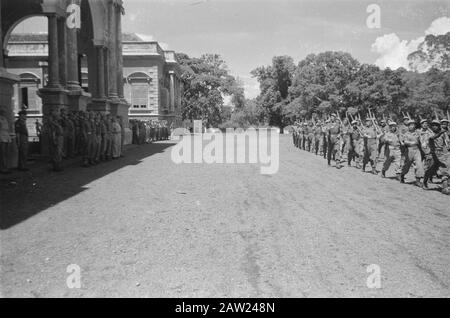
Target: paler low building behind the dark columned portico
(151,77)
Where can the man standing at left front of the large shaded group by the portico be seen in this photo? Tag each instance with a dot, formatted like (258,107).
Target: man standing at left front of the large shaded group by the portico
(56,141)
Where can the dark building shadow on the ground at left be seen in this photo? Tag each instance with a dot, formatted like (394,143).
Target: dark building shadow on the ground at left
(25,195)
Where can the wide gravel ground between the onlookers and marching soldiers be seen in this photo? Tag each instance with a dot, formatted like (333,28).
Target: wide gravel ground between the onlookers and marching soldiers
(145,227)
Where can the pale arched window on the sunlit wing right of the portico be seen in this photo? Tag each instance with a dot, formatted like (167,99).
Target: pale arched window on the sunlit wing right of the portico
(139,90)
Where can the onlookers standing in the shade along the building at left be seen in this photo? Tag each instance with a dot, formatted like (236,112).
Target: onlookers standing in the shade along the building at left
(95,137)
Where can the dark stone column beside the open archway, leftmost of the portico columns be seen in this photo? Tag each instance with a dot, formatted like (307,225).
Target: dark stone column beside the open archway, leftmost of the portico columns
(53,60)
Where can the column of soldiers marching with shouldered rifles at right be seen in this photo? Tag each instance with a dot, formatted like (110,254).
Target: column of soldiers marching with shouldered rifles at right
(424,144)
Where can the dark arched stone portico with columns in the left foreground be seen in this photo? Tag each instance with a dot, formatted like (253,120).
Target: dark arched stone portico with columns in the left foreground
(79,31)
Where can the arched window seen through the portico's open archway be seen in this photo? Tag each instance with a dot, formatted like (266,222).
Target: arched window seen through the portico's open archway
(28,88)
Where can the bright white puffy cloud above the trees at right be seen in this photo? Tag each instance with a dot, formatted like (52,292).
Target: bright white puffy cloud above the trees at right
(393,52)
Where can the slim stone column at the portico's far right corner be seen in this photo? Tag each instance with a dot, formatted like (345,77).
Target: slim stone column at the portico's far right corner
(112,57)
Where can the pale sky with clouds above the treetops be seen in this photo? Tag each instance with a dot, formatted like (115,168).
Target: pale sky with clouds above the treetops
(248,33)
